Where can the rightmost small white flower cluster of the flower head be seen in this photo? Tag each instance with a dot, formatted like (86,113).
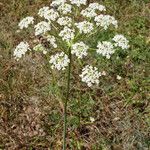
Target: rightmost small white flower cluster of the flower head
(121,41)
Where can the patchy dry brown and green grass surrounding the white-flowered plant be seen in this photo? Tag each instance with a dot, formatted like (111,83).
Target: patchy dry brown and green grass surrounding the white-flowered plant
(31,107)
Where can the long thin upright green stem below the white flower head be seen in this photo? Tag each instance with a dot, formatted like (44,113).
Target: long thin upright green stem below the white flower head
(66,101)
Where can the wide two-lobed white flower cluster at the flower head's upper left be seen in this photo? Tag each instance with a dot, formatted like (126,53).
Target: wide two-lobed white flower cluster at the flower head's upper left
(49,14)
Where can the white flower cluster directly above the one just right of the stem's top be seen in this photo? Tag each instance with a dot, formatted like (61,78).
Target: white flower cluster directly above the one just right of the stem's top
(84,27)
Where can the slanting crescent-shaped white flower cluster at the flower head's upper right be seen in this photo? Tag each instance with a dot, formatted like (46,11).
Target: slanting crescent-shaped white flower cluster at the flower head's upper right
(90,11)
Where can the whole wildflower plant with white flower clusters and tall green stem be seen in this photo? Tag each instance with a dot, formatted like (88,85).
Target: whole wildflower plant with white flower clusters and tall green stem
(72,23)
